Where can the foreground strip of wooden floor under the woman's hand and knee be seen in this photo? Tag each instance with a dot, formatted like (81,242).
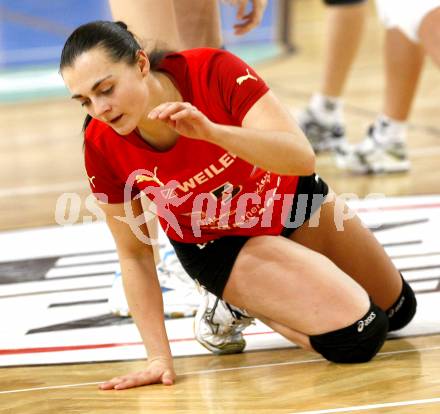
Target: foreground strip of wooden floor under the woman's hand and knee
(274,381)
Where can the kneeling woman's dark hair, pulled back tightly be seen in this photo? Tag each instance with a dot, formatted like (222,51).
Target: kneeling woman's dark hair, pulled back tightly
(114,38)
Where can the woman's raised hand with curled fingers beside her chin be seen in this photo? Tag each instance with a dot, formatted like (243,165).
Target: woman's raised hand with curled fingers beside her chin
(184,118)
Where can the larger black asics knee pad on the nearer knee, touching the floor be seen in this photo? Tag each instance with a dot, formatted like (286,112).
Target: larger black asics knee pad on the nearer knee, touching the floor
(356,343)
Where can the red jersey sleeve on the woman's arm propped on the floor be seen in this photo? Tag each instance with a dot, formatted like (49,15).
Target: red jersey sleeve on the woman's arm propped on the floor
(105,185)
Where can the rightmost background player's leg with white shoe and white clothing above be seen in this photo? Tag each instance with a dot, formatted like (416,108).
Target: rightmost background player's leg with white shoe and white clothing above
(412,31)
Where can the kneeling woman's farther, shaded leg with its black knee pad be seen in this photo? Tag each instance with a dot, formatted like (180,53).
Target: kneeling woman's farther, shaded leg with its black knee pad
(355,250)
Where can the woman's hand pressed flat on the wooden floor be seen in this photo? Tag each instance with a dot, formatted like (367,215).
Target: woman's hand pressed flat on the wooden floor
(158,370)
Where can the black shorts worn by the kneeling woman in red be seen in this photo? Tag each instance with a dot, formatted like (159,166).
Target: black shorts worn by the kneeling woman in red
(211,264)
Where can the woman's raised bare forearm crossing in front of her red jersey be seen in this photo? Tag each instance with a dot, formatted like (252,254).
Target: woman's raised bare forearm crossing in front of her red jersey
(277,151)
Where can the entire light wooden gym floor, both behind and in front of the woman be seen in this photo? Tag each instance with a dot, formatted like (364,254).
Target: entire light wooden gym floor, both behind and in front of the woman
(40,158)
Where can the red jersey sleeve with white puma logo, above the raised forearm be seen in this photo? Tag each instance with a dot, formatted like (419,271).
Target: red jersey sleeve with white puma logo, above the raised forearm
(239,86)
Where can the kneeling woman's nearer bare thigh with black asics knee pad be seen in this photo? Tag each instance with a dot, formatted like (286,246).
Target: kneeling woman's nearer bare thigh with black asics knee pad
(307,298)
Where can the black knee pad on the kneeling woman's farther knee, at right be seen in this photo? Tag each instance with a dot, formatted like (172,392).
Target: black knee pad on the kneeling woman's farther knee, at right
(403,310)
